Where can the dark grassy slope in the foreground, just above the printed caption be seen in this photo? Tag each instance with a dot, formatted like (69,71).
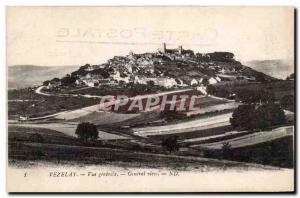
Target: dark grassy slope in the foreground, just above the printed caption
(32,146)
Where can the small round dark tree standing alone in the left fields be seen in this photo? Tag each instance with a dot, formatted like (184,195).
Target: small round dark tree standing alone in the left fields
(87,131)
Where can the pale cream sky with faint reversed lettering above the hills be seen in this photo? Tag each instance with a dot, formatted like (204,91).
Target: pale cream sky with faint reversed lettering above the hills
(54,36)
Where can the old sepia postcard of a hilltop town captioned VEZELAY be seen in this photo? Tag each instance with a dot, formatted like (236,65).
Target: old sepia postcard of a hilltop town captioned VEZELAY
(150,99)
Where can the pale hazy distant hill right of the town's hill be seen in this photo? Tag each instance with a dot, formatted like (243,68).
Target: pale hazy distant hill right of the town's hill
(276,68)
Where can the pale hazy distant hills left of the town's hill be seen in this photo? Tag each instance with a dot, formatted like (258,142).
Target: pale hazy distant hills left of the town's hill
(21,76)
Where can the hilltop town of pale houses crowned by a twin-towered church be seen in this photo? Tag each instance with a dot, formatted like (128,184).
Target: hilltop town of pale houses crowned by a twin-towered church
(167,68)
